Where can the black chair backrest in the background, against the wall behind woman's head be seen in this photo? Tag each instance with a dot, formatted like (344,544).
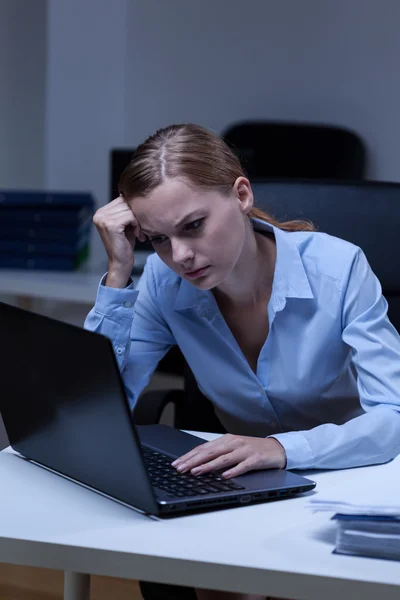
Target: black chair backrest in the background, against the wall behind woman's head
(310,151)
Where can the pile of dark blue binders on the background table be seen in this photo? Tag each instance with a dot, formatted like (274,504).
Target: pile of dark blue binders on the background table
(44,230)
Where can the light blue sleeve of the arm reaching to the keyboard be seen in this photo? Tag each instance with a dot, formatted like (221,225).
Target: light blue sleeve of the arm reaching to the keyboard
(373,437)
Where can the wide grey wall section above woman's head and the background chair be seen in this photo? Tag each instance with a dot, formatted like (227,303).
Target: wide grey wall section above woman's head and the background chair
(215,62)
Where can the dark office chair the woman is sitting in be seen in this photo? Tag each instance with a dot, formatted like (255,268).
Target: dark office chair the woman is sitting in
(365,213)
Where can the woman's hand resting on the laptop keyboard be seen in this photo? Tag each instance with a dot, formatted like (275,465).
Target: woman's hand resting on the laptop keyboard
(236,454)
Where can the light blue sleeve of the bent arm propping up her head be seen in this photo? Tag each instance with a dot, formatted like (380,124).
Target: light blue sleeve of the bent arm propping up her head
(131,319)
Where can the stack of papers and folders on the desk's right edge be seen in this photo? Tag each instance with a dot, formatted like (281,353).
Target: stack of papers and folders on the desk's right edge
(366,513)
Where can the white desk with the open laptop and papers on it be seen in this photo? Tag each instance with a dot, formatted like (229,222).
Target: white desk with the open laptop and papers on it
(279,548)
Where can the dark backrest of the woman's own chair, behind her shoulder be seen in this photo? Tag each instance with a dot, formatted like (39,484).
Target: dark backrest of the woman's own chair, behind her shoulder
(365,213)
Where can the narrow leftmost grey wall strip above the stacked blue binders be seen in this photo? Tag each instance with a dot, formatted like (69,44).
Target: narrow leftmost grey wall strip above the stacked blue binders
(22,92)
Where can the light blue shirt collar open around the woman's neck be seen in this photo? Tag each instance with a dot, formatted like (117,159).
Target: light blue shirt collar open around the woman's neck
(290,278)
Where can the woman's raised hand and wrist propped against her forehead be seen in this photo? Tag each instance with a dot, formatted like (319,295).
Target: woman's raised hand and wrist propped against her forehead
(118,229)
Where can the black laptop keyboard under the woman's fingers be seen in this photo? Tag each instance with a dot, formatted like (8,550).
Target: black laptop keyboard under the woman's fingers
(168,479)
